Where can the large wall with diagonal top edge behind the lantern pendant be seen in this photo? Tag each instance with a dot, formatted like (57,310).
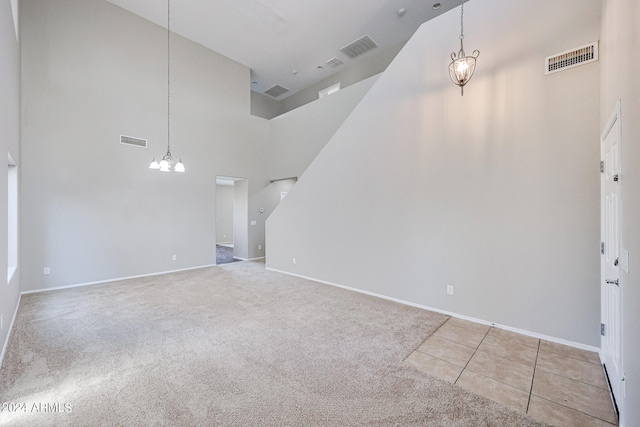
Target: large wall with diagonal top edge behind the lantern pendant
(495,192)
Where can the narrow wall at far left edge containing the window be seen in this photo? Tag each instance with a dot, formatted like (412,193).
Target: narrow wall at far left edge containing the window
(9,143)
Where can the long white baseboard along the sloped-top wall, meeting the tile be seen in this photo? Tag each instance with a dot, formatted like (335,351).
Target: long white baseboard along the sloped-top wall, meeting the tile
(448,313)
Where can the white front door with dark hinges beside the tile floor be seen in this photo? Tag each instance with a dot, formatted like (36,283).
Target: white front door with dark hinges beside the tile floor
(609,265)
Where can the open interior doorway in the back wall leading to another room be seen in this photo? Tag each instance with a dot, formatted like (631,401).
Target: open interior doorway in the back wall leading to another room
(231,218)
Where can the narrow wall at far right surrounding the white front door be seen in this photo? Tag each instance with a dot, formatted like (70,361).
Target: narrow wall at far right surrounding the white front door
(620,36)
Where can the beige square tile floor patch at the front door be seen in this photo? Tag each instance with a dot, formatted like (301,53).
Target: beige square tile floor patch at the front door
(554,383)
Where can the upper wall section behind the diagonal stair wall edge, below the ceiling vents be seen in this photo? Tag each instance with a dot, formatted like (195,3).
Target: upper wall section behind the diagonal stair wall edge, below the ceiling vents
(298,136)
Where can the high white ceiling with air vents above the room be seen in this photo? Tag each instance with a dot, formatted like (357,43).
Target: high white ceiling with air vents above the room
(284,42)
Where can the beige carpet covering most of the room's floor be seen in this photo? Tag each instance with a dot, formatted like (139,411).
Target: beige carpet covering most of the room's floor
(233,345)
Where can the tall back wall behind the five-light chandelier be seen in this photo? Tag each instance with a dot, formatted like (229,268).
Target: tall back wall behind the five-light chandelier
(92,210)
